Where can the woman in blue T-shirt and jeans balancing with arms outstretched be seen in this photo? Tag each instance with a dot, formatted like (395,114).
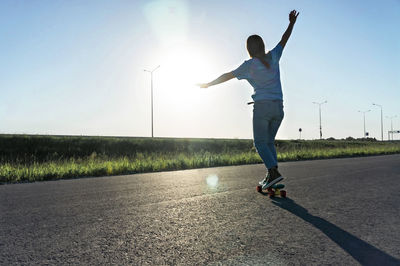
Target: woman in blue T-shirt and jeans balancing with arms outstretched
(262,72)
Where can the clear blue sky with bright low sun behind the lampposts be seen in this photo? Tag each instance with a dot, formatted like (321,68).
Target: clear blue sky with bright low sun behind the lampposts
(76,67)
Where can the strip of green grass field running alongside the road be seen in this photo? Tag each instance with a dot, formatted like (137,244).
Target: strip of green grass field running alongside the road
(36,158)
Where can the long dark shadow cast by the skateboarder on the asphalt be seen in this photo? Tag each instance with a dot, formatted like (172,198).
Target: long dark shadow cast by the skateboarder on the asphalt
(360,250)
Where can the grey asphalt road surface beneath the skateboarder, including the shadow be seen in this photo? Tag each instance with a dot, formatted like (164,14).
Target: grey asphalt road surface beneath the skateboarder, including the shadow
(339,212)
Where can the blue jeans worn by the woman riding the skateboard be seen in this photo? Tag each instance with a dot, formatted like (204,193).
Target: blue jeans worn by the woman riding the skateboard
(267,117)
